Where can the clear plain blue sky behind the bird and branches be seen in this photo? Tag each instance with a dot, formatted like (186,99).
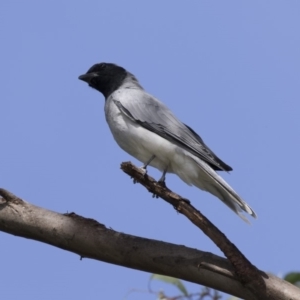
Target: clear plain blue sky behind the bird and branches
(229,69)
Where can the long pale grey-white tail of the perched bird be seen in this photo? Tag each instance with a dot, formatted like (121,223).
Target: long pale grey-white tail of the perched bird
(210,181)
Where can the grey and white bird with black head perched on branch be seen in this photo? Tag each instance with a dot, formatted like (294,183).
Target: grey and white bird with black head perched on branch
(148,130)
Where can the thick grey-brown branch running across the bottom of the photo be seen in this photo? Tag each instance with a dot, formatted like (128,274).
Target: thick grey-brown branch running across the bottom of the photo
(88,238)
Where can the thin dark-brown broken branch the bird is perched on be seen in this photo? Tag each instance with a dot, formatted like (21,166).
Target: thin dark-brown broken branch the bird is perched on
(248,274)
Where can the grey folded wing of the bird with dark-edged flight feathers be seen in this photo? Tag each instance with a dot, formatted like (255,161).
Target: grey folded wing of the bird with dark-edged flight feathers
(153,115)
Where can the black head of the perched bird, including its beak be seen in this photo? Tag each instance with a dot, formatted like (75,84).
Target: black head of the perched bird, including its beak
(105,77)
